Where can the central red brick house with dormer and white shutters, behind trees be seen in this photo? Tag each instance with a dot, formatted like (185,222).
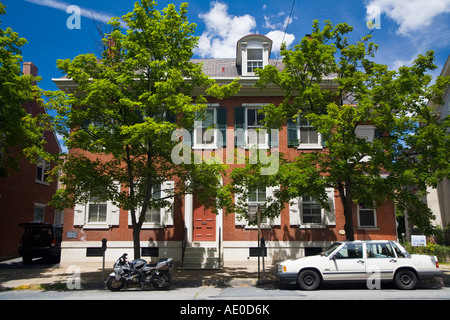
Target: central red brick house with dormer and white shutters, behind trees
(303,227)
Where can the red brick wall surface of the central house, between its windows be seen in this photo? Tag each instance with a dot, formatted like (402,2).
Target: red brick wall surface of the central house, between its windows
(385,215)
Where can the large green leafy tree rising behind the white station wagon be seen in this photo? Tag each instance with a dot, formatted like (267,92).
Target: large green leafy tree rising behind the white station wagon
(336,86)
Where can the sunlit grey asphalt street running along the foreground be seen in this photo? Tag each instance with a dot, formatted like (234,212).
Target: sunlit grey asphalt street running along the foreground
(268,293)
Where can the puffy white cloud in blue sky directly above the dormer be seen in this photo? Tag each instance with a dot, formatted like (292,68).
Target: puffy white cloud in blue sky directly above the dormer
(224,30)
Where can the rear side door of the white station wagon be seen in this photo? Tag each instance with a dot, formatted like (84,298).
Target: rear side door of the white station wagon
(381,260)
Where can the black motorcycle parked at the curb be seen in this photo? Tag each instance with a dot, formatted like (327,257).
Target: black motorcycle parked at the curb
(138,273)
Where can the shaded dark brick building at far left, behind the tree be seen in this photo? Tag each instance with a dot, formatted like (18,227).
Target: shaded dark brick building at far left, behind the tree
(25,194)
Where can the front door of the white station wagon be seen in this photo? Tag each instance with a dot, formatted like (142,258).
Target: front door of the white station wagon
(348,263)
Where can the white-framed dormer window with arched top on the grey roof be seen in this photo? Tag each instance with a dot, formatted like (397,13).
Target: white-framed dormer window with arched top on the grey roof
(253,52)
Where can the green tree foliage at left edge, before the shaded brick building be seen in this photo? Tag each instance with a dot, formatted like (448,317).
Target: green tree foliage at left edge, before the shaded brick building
(20,133)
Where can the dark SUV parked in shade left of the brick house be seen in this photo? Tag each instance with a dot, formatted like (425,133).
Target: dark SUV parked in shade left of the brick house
(41,240)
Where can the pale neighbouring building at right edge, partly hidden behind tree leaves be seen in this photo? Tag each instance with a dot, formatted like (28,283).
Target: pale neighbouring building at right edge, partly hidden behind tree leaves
(439,199)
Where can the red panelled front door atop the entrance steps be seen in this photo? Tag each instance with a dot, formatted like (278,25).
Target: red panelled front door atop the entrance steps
(204,223)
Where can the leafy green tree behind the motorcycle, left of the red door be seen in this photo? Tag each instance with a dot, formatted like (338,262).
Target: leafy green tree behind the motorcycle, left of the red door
(120,121)
